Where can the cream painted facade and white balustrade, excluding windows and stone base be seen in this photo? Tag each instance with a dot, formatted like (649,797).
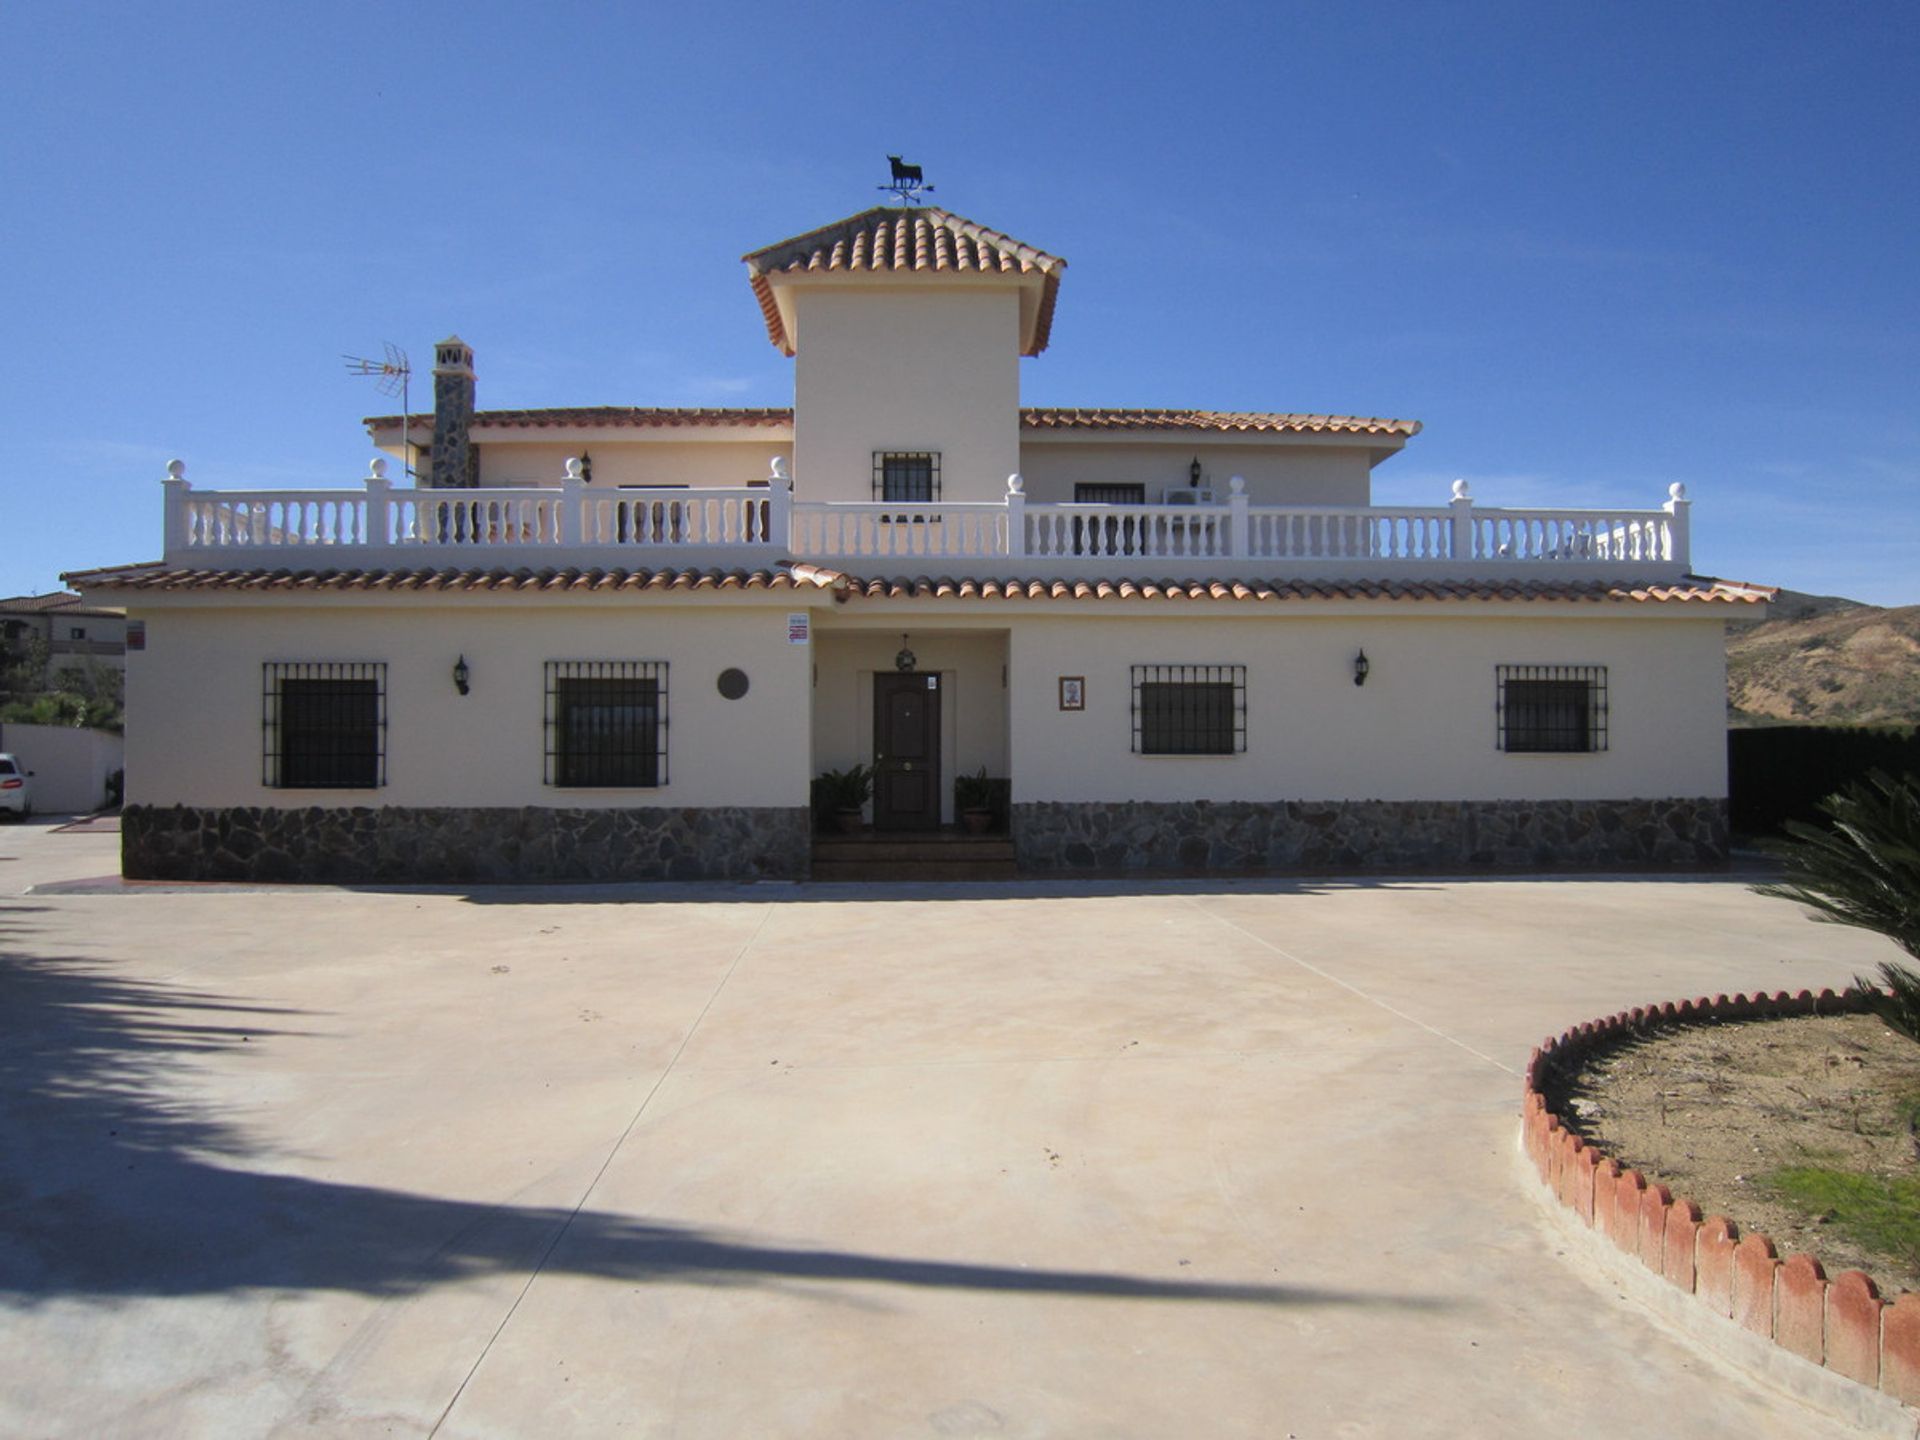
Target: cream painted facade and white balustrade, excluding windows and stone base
(909,362)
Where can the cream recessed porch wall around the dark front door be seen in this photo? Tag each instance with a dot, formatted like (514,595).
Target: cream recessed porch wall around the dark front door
(972,667)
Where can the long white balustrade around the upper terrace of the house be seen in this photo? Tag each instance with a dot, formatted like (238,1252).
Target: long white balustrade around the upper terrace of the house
(577,519)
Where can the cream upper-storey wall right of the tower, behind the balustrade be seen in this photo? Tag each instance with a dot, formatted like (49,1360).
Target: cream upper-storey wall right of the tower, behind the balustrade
(1276,473)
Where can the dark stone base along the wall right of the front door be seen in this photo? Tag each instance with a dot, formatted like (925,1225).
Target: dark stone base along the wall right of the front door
(1243,836)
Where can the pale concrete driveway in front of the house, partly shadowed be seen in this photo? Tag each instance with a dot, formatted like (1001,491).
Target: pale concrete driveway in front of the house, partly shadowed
(1030,1161)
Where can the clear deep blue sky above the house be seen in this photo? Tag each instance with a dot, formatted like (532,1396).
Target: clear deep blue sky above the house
(1595,249)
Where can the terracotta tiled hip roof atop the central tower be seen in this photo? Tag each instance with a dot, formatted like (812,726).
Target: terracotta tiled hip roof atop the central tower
(903,241)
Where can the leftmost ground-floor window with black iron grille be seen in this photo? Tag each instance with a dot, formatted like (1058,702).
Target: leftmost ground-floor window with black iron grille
(324,725)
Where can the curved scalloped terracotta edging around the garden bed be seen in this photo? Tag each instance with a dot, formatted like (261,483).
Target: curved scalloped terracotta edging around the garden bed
(1742,1282)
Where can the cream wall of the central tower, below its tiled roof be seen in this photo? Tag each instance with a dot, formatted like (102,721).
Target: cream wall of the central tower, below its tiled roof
(905,368)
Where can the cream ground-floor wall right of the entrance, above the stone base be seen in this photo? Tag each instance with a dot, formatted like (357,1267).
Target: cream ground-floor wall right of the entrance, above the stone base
(1422,729)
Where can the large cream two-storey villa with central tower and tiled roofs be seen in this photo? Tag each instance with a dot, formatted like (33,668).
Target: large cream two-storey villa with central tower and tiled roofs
(619,642)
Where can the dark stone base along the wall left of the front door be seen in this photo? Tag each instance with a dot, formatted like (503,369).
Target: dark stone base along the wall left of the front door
(458,844)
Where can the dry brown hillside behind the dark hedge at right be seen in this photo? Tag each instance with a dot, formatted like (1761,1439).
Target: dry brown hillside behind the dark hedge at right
(1825,661)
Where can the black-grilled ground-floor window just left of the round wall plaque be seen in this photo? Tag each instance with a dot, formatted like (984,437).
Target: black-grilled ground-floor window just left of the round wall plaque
(608,723)
